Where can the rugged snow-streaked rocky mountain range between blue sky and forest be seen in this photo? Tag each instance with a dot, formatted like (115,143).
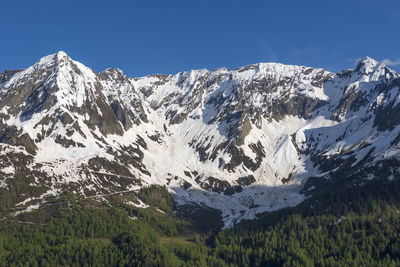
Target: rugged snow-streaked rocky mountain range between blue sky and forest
(243,141)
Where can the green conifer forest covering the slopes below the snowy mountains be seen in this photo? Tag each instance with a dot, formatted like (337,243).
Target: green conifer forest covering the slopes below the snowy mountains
(341,225)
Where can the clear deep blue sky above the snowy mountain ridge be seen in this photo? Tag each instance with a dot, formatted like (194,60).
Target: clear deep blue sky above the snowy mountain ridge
(144,37)
